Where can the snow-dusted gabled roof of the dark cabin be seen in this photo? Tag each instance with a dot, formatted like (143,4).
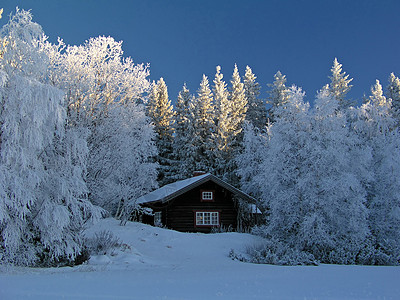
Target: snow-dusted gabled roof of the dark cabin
(172,190)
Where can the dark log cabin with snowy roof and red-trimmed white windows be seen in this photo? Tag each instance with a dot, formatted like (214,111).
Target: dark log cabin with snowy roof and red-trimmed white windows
(199,204)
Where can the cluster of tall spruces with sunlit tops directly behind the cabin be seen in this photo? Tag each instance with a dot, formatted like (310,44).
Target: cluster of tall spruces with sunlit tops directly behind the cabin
(204,132)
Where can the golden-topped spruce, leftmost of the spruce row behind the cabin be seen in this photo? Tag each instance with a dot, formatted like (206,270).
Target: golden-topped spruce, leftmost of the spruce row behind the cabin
(160,111)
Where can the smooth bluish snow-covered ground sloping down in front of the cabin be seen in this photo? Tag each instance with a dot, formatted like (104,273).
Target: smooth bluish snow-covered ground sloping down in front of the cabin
(164,264)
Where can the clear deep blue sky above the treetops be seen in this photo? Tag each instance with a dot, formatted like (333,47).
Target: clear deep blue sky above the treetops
(183,39)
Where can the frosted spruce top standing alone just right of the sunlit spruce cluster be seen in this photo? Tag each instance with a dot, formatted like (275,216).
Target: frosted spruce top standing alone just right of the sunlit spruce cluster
(278,94)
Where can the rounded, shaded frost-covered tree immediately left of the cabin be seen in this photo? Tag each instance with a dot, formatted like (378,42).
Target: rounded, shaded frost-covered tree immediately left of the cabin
(124,171)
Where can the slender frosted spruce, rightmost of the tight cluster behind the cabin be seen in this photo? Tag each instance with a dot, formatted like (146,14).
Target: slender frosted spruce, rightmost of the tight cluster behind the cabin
(256,109)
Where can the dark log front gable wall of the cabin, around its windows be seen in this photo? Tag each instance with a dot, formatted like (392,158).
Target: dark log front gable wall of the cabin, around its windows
(180,212)
